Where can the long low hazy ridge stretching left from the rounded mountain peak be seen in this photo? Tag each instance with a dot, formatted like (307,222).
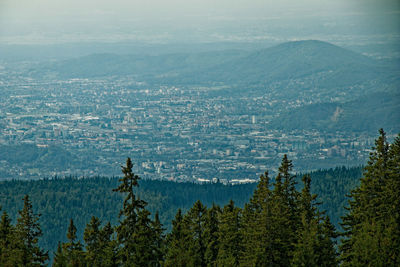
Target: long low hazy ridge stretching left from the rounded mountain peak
(99,65)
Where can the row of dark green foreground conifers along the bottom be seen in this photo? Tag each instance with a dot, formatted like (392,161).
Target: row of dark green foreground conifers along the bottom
(281,225)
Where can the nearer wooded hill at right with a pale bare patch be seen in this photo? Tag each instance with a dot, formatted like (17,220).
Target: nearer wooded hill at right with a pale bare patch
(369,114)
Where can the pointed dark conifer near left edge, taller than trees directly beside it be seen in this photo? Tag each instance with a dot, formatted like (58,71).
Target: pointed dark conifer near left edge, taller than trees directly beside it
(27,233)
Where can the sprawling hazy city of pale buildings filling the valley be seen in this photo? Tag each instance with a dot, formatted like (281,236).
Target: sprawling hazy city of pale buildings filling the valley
(89,126)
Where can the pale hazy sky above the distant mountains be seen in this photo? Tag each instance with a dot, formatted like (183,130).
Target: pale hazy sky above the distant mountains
(49,21)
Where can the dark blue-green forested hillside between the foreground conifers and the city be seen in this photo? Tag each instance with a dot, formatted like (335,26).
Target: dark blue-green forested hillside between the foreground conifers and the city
(79,199)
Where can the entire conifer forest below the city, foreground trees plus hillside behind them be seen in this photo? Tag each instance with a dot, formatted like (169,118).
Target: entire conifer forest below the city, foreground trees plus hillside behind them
(277,222)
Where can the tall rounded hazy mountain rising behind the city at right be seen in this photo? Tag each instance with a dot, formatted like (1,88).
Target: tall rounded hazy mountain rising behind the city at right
(325,62)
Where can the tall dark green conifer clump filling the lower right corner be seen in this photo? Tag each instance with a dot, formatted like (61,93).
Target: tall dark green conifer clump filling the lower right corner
(372,224)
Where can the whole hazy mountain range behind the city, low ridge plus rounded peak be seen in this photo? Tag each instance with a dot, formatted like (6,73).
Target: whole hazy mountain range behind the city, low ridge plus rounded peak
(326,64)
